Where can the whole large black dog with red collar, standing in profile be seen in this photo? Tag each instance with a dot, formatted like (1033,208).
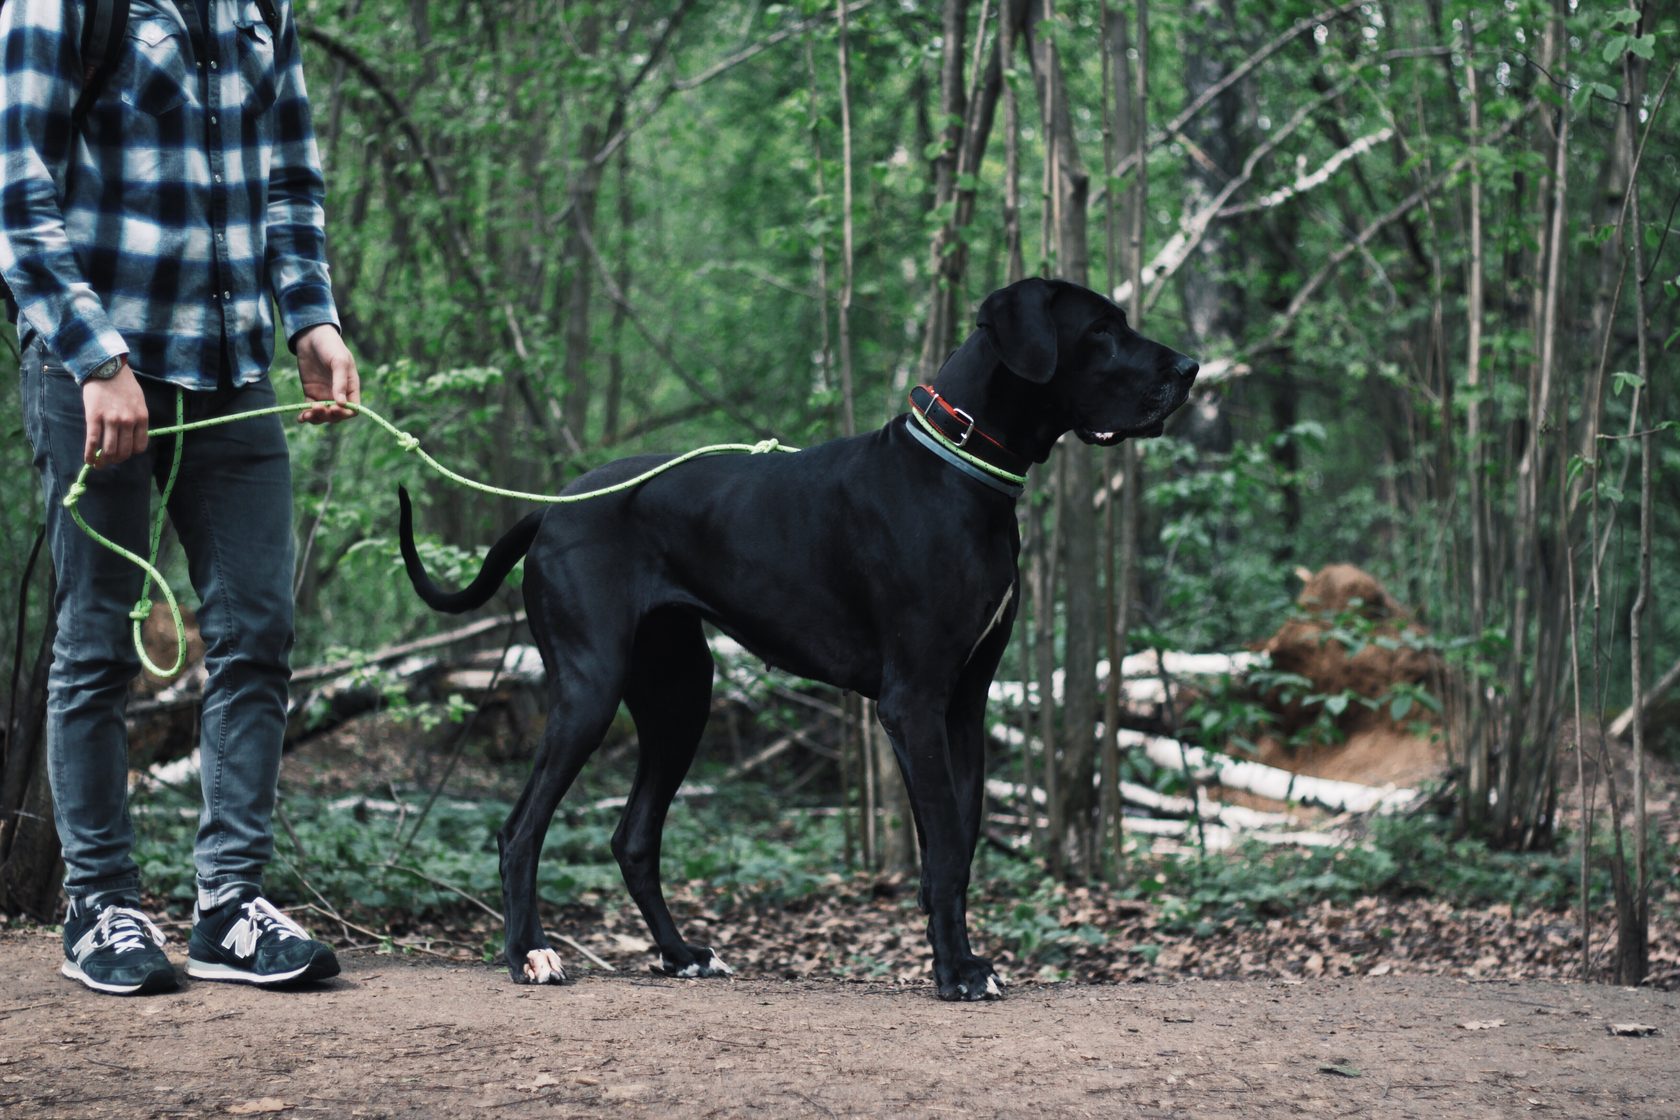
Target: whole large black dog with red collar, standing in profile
(883,563)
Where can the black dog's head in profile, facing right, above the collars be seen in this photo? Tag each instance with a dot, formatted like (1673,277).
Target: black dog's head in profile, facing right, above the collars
(1106,382)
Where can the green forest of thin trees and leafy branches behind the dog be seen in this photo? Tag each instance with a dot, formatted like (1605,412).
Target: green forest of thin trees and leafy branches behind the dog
(1422,251)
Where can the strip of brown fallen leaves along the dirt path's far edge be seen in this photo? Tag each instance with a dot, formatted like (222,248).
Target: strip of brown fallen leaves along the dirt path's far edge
(869,928)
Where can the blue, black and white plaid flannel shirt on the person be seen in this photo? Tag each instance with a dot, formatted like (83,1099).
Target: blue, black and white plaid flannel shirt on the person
(189,199)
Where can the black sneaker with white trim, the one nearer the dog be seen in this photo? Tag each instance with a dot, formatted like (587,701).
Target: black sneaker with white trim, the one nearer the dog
(249,941)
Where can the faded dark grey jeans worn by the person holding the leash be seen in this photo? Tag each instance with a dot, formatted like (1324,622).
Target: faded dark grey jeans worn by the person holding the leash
(233,513)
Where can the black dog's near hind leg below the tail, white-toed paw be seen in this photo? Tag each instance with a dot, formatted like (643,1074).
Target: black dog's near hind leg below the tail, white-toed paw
(584,698)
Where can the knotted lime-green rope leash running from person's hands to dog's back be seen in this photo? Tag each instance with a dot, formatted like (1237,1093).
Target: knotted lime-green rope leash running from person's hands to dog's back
(404,439)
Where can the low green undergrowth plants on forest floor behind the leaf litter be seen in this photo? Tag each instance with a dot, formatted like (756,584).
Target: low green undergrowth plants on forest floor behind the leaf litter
(743,849)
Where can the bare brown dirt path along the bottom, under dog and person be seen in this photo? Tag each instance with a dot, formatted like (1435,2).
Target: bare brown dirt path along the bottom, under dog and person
(399,1039)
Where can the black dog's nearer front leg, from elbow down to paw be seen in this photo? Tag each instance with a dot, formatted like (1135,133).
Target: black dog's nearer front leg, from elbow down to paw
(918,731)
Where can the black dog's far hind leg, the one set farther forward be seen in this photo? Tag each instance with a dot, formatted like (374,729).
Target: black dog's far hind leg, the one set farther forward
(669,696)
